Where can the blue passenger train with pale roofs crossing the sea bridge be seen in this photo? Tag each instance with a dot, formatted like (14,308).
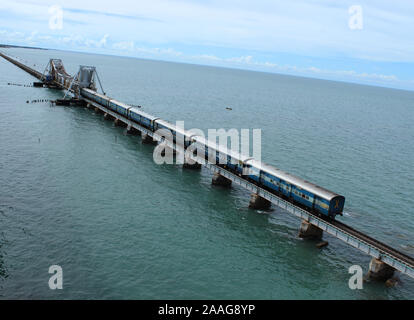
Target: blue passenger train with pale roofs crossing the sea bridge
(302,193)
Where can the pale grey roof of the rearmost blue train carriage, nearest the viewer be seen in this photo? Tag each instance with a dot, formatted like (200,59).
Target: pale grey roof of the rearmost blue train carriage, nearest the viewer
(299,182)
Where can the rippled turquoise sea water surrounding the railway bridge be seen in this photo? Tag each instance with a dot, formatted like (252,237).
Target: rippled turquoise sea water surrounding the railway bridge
(77,192)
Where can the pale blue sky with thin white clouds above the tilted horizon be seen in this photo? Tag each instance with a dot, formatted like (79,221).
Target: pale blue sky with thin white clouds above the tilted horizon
(368,42)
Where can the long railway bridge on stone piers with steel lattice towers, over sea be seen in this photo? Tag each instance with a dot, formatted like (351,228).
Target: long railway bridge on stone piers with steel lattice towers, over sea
(385,259)
